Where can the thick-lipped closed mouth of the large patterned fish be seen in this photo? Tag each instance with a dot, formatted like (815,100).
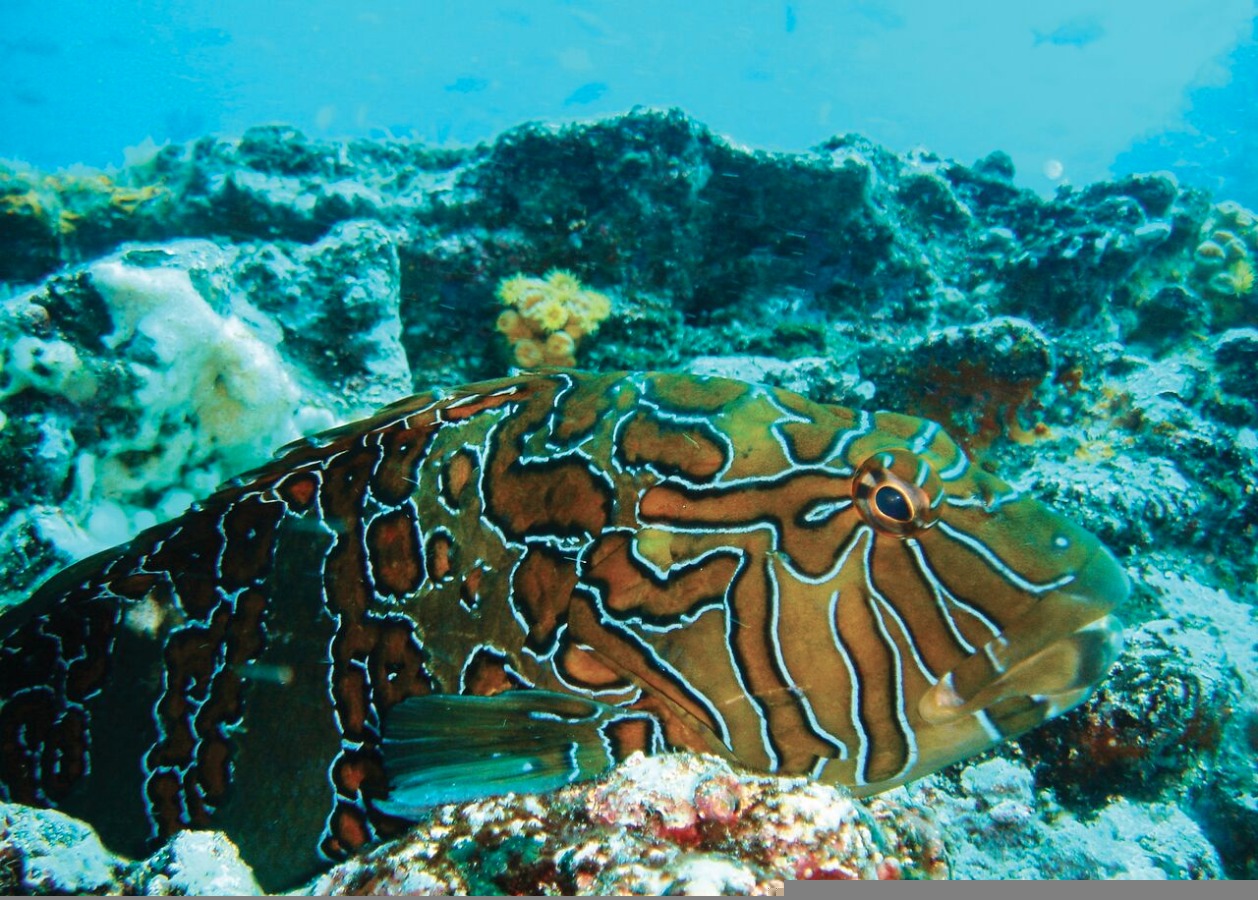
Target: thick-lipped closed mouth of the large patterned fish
(1046,663)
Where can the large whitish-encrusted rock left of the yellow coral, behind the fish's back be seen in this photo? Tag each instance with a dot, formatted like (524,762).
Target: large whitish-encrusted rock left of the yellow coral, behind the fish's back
(157,359)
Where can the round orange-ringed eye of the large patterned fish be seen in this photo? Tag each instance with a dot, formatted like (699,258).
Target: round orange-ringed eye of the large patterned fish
(895,490)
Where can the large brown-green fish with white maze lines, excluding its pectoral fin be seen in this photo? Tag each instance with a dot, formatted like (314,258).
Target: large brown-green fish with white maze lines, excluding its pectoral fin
(801,588)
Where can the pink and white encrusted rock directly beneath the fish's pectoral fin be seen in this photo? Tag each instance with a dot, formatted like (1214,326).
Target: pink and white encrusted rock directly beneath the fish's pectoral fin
(664,826)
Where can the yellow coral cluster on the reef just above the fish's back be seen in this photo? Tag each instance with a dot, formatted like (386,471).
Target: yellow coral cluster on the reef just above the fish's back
(549,317)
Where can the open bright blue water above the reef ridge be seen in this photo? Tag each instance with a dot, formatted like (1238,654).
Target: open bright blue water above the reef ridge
(1074,91)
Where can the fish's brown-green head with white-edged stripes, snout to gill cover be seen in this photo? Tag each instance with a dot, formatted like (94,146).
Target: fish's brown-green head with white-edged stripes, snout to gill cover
(890,606)
